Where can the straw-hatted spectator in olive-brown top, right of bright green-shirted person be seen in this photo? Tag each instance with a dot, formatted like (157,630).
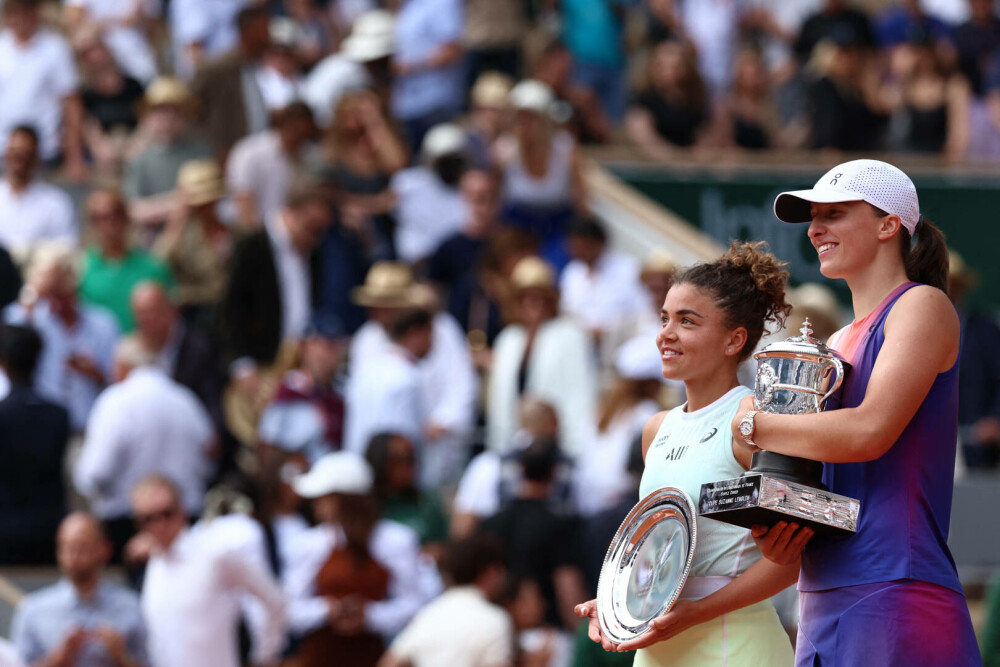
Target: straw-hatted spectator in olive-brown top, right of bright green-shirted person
(195,242)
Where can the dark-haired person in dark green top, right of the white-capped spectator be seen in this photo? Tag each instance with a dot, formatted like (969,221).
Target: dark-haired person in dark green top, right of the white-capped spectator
(393,458)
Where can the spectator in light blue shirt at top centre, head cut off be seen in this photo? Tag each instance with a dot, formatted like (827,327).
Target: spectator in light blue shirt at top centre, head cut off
(427,63)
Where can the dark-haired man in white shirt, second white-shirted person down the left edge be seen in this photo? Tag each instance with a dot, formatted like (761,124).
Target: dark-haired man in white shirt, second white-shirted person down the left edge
(31,210)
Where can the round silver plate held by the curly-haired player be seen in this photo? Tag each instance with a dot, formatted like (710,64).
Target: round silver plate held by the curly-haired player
(647,564)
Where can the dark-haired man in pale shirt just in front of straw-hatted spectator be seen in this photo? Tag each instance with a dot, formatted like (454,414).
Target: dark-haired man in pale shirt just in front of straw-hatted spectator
(386,393)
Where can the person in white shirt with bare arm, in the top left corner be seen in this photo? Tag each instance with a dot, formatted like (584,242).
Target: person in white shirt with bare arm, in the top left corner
(40,86)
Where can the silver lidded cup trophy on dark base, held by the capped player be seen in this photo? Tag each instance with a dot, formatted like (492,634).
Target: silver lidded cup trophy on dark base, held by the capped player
(794,376)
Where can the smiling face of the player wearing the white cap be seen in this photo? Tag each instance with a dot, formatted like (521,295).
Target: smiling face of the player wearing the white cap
(846,236)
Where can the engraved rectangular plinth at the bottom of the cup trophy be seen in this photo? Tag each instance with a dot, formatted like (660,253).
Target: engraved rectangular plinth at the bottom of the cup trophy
(761,499)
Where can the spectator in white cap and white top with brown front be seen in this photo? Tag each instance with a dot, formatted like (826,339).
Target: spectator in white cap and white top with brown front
(355,579)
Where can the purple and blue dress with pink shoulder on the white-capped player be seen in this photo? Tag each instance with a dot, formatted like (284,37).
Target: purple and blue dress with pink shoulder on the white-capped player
(889,595)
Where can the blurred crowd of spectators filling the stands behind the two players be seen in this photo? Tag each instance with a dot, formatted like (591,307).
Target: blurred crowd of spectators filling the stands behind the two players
(308,324)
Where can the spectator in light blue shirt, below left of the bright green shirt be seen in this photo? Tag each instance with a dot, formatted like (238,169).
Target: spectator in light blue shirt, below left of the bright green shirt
(79,339)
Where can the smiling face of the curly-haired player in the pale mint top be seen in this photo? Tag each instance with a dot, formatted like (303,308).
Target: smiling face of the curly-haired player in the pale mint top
(694,340)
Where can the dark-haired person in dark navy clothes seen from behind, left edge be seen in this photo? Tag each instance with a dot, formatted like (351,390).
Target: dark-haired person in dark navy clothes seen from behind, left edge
(33,438)
